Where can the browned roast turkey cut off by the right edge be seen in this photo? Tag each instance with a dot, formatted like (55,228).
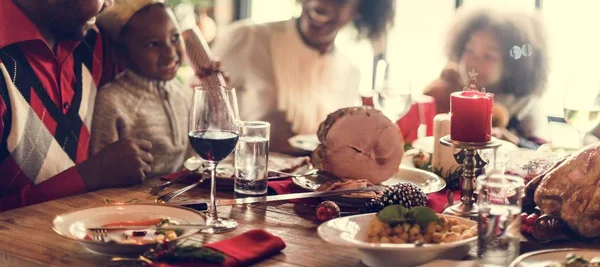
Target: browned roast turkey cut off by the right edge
(570,191)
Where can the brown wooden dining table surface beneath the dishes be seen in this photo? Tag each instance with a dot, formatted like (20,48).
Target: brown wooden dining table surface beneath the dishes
(27,237)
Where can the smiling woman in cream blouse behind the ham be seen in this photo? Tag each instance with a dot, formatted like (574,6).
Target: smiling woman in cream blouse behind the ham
(289,73)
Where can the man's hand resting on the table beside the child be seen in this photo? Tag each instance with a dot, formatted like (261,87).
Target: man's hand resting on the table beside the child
(121,163)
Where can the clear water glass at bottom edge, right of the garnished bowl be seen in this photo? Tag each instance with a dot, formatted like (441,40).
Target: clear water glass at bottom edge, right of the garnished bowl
(499,223)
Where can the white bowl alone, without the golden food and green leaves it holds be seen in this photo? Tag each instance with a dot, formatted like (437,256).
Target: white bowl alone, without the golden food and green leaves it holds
(352,232)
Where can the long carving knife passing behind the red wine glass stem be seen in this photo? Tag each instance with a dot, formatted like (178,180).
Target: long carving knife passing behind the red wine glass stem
(201,205)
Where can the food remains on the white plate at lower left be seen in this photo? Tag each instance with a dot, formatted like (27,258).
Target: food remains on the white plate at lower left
(140,237)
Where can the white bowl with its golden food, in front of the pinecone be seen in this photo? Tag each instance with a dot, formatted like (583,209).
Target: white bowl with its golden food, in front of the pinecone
(401,237)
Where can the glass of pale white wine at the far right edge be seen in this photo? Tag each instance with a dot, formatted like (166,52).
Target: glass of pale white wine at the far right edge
(582,108)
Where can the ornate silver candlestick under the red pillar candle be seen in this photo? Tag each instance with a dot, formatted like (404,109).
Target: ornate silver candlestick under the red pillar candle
(467,207)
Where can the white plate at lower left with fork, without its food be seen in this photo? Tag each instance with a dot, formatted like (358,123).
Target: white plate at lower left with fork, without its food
(73,225)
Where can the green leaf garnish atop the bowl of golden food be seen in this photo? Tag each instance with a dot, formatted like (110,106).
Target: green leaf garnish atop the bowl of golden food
(396,214)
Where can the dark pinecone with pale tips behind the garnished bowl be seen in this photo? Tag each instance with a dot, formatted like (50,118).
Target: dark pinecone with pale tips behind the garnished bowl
(406,194)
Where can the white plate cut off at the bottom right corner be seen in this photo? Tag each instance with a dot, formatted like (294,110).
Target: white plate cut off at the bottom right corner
(545,257)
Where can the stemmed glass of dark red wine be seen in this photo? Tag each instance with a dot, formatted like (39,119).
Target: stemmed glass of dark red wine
(214,133)
